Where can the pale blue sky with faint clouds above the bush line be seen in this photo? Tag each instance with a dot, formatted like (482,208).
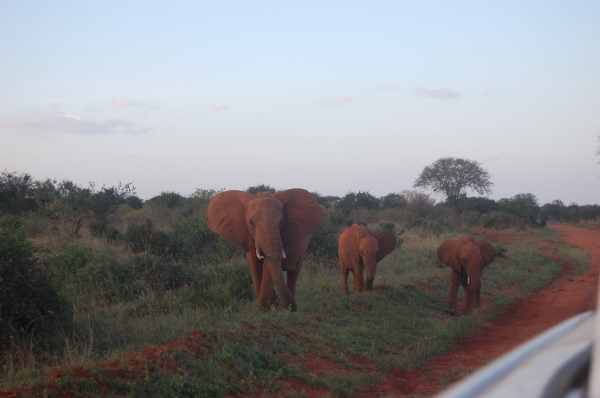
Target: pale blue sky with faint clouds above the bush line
(330,96)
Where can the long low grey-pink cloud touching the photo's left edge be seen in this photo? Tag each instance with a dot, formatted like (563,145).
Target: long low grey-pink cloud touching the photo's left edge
(52,122)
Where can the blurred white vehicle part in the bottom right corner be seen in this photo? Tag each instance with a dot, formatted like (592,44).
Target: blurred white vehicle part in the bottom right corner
(557,363)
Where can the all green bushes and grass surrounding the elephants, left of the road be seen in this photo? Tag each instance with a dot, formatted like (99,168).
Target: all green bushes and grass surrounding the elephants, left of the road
(91,276)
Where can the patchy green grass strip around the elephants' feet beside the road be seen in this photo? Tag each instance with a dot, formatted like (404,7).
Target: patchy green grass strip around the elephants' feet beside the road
(241,349)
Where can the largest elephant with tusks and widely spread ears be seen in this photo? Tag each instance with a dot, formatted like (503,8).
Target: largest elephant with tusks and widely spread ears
(274,229)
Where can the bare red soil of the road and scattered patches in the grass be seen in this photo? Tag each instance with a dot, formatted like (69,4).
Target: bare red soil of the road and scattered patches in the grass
(556,302)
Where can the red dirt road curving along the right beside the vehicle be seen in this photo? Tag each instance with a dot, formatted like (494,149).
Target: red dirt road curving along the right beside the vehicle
(543,309)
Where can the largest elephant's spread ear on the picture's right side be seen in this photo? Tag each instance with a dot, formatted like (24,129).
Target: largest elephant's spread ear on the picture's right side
(302,214)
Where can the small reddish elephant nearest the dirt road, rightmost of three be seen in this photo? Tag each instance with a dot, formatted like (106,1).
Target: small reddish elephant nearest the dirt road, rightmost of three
(467,257)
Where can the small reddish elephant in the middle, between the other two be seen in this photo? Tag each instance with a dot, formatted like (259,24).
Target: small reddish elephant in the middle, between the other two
(359,248)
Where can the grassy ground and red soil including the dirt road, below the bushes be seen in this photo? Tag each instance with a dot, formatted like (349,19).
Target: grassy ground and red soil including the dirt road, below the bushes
(388,342)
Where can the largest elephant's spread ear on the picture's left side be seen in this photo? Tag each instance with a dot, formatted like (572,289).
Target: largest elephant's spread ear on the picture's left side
(226,216)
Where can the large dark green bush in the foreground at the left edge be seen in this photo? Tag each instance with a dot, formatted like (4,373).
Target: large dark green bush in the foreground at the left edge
(30,305)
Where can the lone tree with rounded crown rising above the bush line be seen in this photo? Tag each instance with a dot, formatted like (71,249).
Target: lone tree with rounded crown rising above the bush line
(452,177)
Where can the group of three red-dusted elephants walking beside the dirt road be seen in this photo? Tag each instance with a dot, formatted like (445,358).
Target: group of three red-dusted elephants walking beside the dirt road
(274,229)
